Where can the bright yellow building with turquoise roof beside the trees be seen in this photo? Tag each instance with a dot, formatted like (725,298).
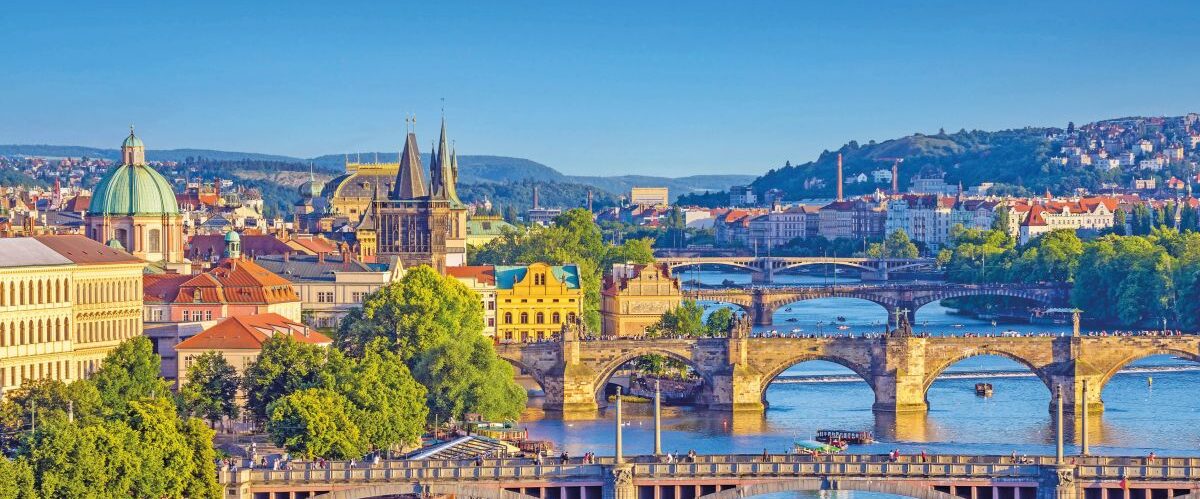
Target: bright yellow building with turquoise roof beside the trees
(535,302)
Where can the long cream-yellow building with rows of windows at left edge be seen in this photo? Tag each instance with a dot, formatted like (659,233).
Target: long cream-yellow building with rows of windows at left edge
(65,303)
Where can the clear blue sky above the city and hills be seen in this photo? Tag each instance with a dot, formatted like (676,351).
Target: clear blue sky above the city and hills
(589,88)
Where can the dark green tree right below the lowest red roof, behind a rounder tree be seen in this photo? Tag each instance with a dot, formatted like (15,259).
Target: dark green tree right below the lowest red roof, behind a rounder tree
(285,366)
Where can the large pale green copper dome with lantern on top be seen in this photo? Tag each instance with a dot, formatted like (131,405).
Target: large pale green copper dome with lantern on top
(134,190)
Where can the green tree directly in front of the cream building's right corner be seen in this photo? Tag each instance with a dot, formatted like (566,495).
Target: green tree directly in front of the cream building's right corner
(129,374)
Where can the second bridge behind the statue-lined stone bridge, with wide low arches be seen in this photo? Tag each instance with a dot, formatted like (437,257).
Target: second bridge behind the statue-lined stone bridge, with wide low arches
(761,303)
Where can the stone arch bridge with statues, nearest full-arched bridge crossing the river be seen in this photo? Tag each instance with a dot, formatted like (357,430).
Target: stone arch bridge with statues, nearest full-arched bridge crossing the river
(899,369)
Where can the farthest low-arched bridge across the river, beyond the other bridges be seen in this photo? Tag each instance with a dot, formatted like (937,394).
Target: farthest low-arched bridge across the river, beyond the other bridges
(764,269)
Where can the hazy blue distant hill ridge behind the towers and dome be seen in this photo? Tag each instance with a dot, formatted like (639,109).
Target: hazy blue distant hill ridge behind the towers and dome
(473,170)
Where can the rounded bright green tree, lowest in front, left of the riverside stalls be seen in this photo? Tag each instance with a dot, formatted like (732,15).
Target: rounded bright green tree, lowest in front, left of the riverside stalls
(316,423)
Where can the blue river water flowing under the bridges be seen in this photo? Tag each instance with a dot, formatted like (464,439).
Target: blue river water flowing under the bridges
(1139,418)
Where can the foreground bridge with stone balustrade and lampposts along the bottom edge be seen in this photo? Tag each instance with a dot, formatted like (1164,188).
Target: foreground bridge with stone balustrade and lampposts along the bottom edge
(729,478)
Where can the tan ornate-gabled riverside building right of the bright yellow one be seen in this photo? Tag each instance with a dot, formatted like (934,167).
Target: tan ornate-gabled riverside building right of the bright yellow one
(635,297)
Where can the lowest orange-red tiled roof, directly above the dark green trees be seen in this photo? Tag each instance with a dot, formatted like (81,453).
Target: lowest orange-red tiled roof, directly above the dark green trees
(250,333)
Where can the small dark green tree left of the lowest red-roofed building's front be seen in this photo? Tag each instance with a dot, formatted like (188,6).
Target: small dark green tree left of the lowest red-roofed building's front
(212,388)
